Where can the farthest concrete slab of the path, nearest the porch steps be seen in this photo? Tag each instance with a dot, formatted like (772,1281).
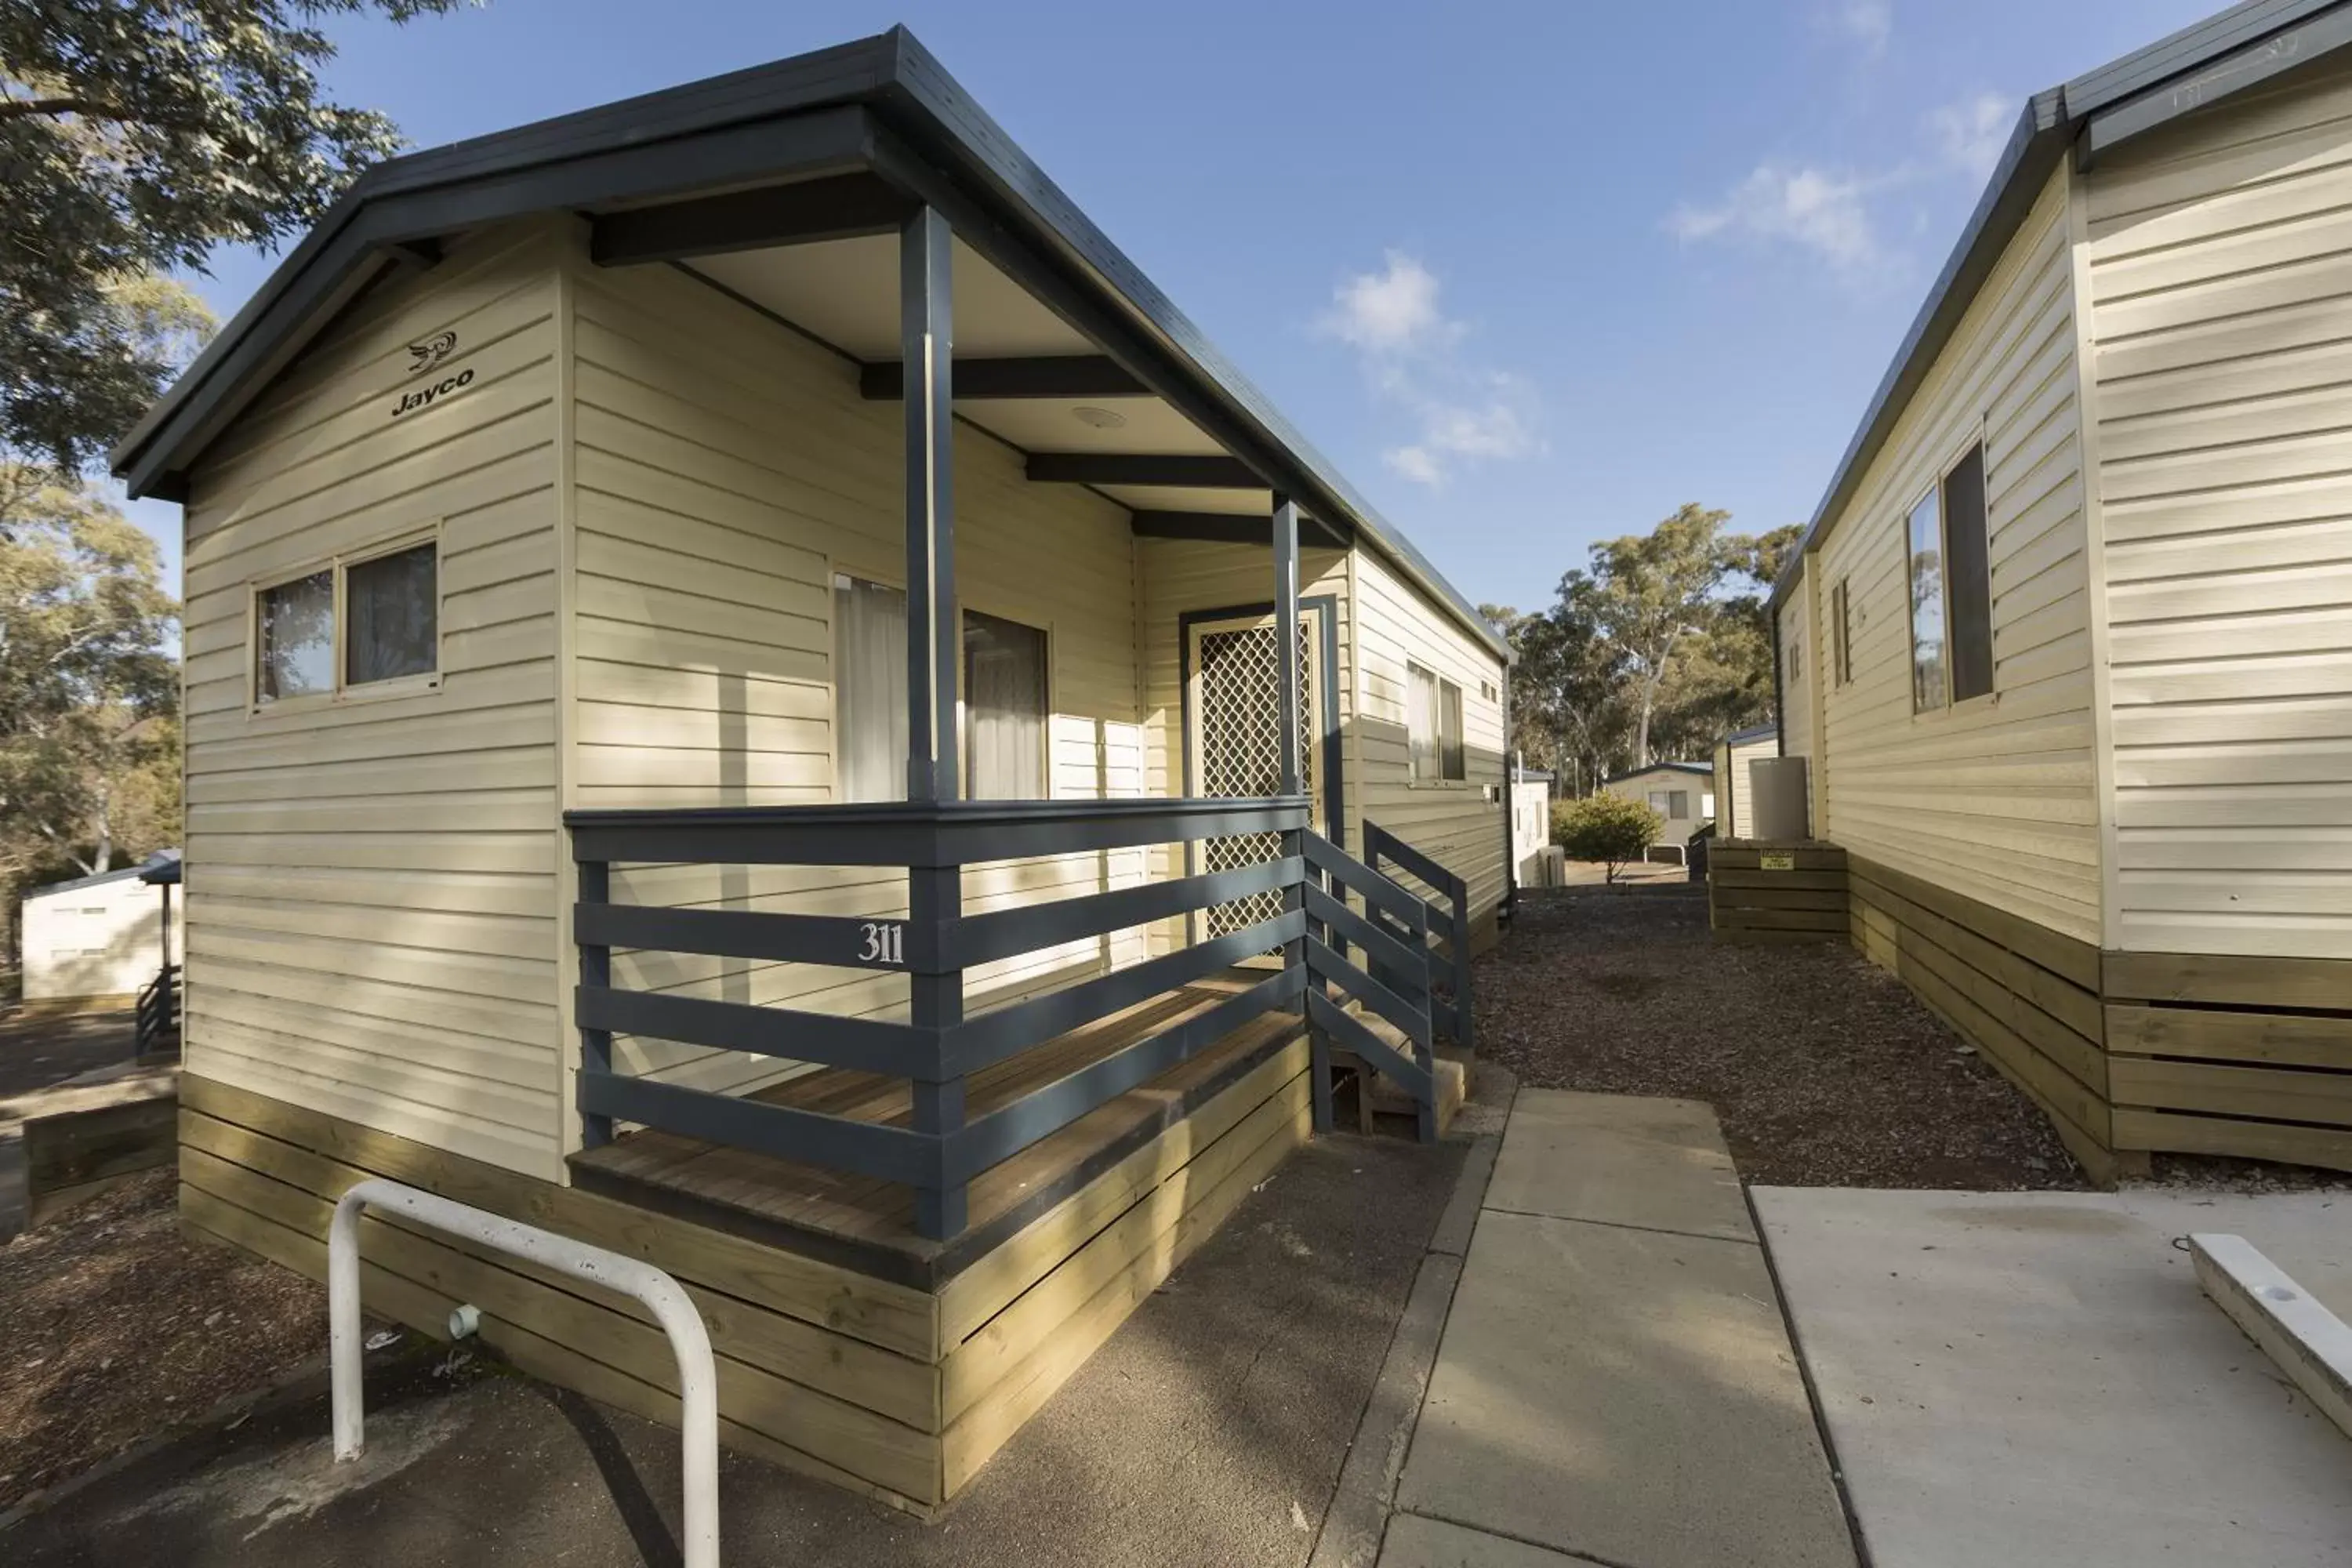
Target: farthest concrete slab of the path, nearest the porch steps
(1619,1160)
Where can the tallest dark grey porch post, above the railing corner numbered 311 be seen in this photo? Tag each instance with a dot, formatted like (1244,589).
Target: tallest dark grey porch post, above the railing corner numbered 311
(933,643)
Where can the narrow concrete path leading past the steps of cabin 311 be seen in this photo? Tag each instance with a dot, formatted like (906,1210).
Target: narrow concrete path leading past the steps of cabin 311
(1615,1383)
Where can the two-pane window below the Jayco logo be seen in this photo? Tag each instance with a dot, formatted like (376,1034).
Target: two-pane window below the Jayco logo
(380,610)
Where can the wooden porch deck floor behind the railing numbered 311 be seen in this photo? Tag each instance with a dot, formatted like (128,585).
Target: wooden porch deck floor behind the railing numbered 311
(867,1224)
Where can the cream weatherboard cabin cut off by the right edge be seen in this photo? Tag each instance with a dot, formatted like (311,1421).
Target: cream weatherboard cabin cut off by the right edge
(2064,648)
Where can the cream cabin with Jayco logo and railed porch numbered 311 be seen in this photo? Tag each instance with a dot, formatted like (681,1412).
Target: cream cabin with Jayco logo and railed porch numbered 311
(763,699)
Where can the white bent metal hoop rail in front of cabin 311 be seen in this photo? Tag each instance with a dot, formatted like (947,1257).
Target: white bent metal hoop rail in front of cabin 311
(697,1376)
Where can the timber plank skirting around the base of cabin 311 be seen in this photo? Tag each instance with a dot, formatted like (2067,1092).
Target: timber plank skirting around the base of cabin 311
(883,1388)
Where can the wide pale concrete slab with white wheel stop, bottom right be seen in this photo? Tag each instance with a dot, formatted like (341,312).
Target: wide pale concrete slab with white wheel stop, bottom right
(2038,1379)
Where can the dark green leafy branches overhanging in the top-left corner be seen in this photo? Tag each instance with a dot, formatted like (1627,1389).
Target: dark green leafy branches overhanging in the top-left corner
(135,140)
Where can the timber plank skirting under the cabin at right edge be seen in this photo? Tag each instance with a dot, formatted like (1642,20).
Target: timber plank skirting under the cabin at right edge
(2127,1052)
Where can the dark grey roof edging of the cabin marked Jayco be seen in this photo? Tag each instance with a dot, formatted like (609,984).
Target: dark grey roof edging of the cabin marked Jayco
(620,149)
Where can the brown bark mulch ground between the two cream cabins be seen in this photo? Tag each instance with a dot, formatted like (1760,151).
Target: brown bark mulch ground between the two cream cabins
(1826,1071)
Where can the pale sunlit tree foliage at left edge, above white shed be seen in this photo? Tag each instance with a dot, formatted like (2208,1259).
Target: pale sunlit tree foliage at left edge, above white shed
(88,681)
